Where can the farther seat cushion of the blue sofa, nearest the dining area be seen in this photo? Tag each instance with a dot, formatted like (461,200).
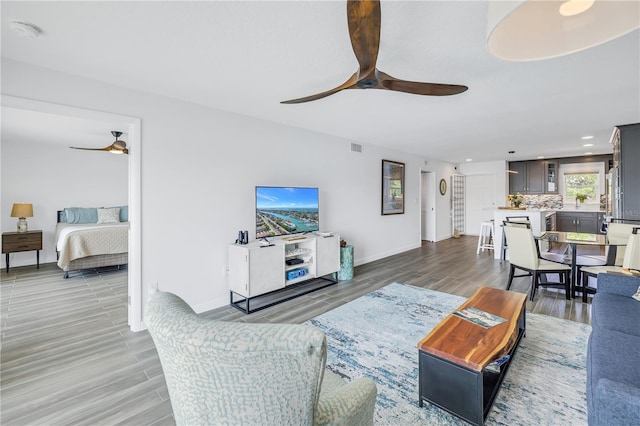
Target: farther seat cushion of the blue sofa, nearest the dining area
(613,312)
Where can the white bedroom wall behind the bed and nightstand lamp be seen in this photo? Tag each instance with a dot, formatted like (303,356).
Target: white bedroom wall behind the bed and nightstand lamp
(52,177)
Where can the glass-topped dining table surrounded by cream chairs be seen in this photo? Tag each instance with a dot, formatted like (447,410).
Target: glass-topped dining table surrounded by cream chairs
(570,256)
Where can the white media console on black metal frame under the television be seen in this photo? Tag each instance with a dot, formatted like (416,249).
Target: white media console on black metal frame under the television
(257,271)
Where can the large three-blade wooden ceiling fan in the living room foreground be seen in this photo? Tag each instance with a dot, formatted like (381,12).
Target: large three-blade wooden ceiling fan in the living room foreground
(364,30)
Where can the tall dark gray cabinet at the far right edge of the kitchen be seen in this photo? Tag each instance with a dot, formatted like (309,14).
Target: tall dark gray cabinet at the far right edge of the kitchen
(626,156)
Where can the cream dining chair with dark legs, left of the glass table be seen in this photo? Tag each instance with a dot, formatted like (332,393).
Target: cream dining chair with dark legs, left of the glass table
(523,254)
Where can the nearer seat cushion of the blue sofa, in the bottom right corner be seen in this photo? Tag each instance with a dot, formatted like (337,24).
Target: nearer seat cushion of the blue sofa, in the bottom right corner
(613,377)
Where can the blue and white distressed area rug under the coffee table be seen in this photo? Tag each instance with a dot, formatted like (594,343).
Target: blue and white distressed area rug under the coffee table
(376,336)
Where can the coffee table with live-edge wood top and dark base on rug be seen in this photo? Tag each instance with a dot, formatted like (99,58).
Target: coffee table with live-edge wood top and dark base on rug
(453,357)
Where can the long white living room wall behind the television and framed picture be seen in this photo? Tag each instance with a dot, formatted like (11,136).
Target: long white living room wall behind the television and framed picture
(211,160)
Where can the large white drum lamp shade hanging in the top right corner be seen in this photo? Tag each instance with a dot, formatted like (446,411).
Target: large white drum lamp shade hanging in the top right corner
(529,30)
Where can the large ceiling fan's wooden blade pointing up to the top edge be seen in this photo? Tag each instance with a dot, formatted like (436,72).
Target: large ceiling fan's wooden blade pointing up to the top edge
(364,30)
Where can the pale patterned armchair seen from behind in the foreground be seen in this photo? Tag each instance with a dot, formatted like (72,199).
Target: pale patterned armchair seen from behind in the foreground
(253,374)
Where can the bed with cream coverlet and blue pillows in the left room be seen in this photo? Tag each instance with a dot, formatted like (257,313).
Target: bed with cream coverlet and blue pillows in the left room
(88,238)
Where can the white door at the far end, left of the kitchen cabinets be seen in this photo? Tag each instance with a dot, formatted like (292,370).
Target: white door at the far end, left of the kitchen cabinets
(481,201)
